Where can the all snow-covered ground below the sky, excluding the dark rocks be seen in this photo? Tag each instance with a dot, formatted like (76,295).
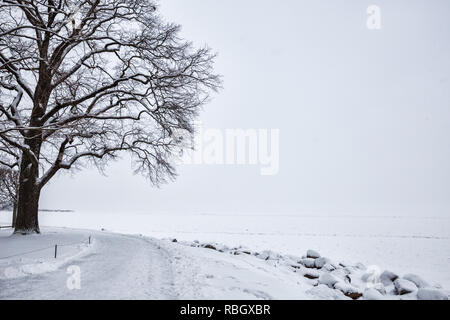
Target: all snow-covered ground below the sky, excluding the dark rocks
(119,266)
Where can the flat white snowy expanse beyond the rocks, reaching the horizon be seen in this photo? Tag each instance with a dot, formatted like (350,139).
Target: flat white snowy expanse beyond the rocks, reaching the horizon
(419,245)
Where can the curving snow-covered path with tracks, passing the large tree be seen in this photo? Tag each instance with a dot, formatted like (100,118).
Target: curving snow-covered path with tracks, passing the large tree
(119,267)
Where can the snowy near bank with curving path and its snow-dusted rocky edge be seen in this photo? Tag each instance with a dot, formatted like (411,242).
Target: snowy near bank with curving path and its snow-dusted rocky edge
(117,266)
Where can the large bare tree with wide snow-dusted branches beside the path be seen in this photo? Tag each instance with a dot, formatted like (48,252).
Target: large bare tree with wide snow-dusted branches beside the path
(83,81)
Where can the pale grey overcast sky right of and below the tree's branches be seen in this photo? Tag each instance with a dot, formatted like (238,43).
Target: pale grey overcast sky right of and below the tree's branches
(364,115)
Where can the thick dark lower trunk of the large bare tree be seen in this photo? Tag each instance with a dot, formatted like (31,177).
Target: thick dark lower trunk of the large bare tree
(28,199)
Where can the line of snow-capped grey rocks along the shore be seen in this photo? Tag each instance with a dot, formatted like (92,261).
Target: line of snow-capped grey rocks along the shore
(341,280)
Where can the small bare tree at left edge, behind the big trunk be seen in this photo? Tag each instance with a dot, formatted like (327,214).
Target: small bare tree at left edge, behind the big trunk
(9,187)
